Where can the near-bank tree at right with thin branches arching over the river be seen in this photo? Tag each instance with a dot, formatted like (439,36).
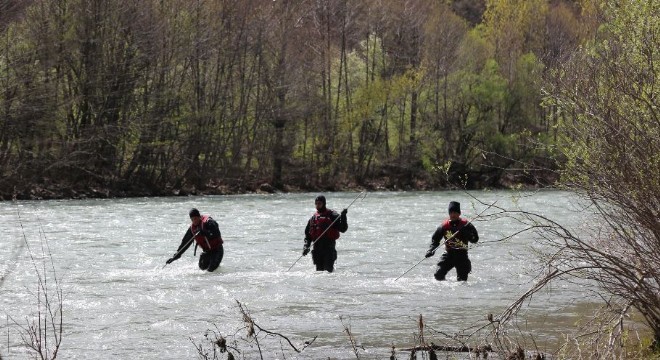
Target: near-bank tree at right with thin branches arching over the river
(609,102)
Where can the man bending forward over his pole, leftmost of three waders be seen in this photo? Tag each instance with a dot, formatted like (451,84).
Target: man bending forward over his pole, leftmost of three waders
(206,233)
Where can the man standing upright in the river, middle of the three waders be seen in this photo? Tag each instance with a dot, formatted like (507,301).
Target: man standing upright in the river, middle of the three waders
(323,229)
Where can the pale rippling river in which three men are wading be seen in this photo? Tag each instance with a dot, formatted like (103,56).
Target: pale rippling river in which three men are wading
(119,302)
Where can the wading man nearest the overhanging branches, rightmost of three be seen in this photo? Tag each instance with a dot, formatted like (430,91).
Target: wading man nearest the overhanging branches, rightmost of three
(457,232)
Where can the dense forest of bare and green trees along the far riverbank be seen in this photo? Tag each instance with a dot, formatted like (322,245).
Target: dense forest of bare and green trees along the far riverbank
(121,98)
